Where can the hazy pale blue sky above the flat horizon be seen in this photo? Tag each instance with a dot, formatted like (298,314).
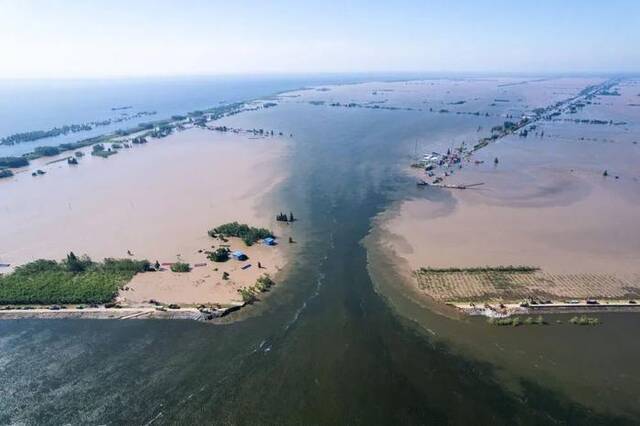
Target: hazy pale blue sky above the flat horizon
(156,37)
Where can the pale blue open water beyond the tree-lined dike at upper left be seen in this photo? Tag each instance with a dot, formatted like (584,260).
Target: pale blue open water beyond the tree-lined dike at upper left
(28,105)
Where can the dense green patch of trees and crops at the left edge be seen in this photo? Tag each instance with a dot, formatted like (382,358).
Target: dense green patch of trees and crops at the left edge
(72,280)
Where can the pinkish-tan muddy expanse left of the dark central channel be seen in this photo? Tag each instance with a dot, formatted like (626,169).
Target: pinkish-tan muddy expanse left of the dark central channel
(156,201)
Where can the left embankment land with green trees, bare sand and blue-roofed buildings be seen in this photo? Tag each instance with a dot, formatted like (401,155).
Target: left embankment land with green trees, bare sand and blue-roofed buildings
(233,271)
